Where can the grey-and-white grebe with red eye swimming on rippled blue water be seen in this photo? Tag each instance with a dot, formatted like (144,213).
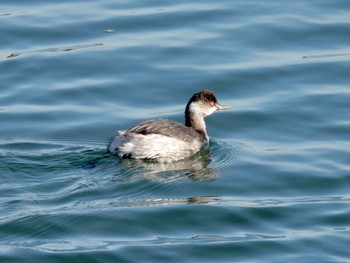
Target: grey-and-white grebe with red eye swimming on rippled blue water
(165,140)
